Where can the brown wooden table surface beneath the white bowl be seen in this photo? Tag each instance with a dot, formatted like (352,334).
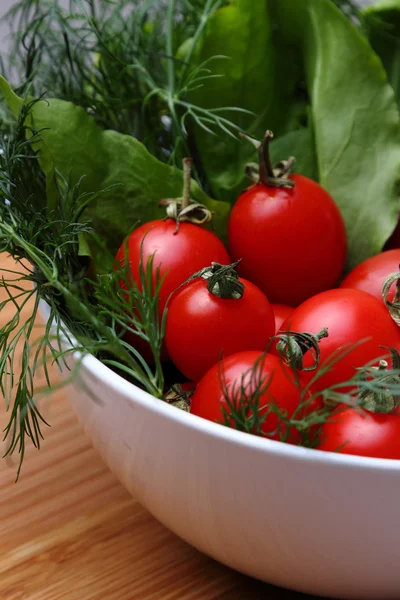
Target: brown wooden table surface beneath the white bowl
(70,531)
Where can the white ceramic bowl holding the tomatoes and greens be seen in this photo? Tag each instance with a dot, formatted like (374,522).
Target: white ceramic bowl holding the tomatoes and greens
(311,521)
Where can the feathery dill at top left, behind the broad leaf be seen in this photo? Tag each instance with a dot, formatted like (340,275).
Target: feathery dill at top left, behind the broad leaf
(129,64)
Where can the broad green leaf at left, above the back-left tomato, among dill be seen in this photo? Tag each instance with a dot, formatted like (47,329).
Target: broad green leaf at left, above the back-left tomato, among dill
(75,146)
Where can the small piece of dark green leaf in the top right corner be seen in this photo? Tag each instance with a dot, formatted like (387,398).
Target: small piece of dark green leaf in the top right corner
(382,24)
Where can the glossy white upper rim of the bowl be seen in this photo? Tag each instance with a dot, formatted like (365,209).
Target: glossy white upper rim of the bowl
(135,395)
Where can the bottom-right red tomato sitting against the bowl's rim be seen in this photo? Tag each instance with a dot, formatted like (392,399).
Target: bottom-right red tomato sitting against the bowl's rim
(363,434)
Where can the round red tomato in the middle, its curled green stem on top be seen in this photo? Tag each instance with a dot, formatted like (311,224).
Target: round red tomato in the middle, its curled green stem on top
(202,327)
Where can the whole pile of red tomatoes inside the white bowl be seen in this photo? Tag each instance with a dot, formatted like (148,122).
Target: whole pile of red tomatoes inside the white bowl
(287,239)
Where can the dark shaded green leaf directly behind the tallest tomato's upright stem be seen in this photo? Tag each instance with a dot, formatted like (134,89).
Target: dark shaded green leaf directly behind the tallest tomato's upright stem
(243,33)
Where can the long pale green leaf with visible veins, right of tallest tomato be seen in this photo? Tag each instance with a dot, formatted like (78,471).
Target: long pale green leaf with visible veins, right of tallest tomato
(354,119)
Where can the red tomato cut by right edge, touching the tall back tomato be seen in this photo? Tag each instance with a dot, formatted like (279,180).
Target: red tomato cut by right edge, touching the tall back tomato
(370,274)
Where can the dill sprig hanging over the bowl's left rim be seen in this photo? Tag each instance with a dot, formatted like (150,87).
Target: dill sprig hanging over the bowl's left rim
(83,315)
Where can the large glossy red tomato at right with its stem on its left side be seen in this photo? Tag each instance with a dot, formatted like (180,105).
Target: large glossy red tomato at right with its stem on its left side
(350,316)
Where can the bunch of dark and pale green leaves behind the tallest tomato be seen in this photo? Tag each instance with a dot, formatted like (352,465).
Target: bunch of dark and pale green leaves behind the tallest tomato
(342,124)
